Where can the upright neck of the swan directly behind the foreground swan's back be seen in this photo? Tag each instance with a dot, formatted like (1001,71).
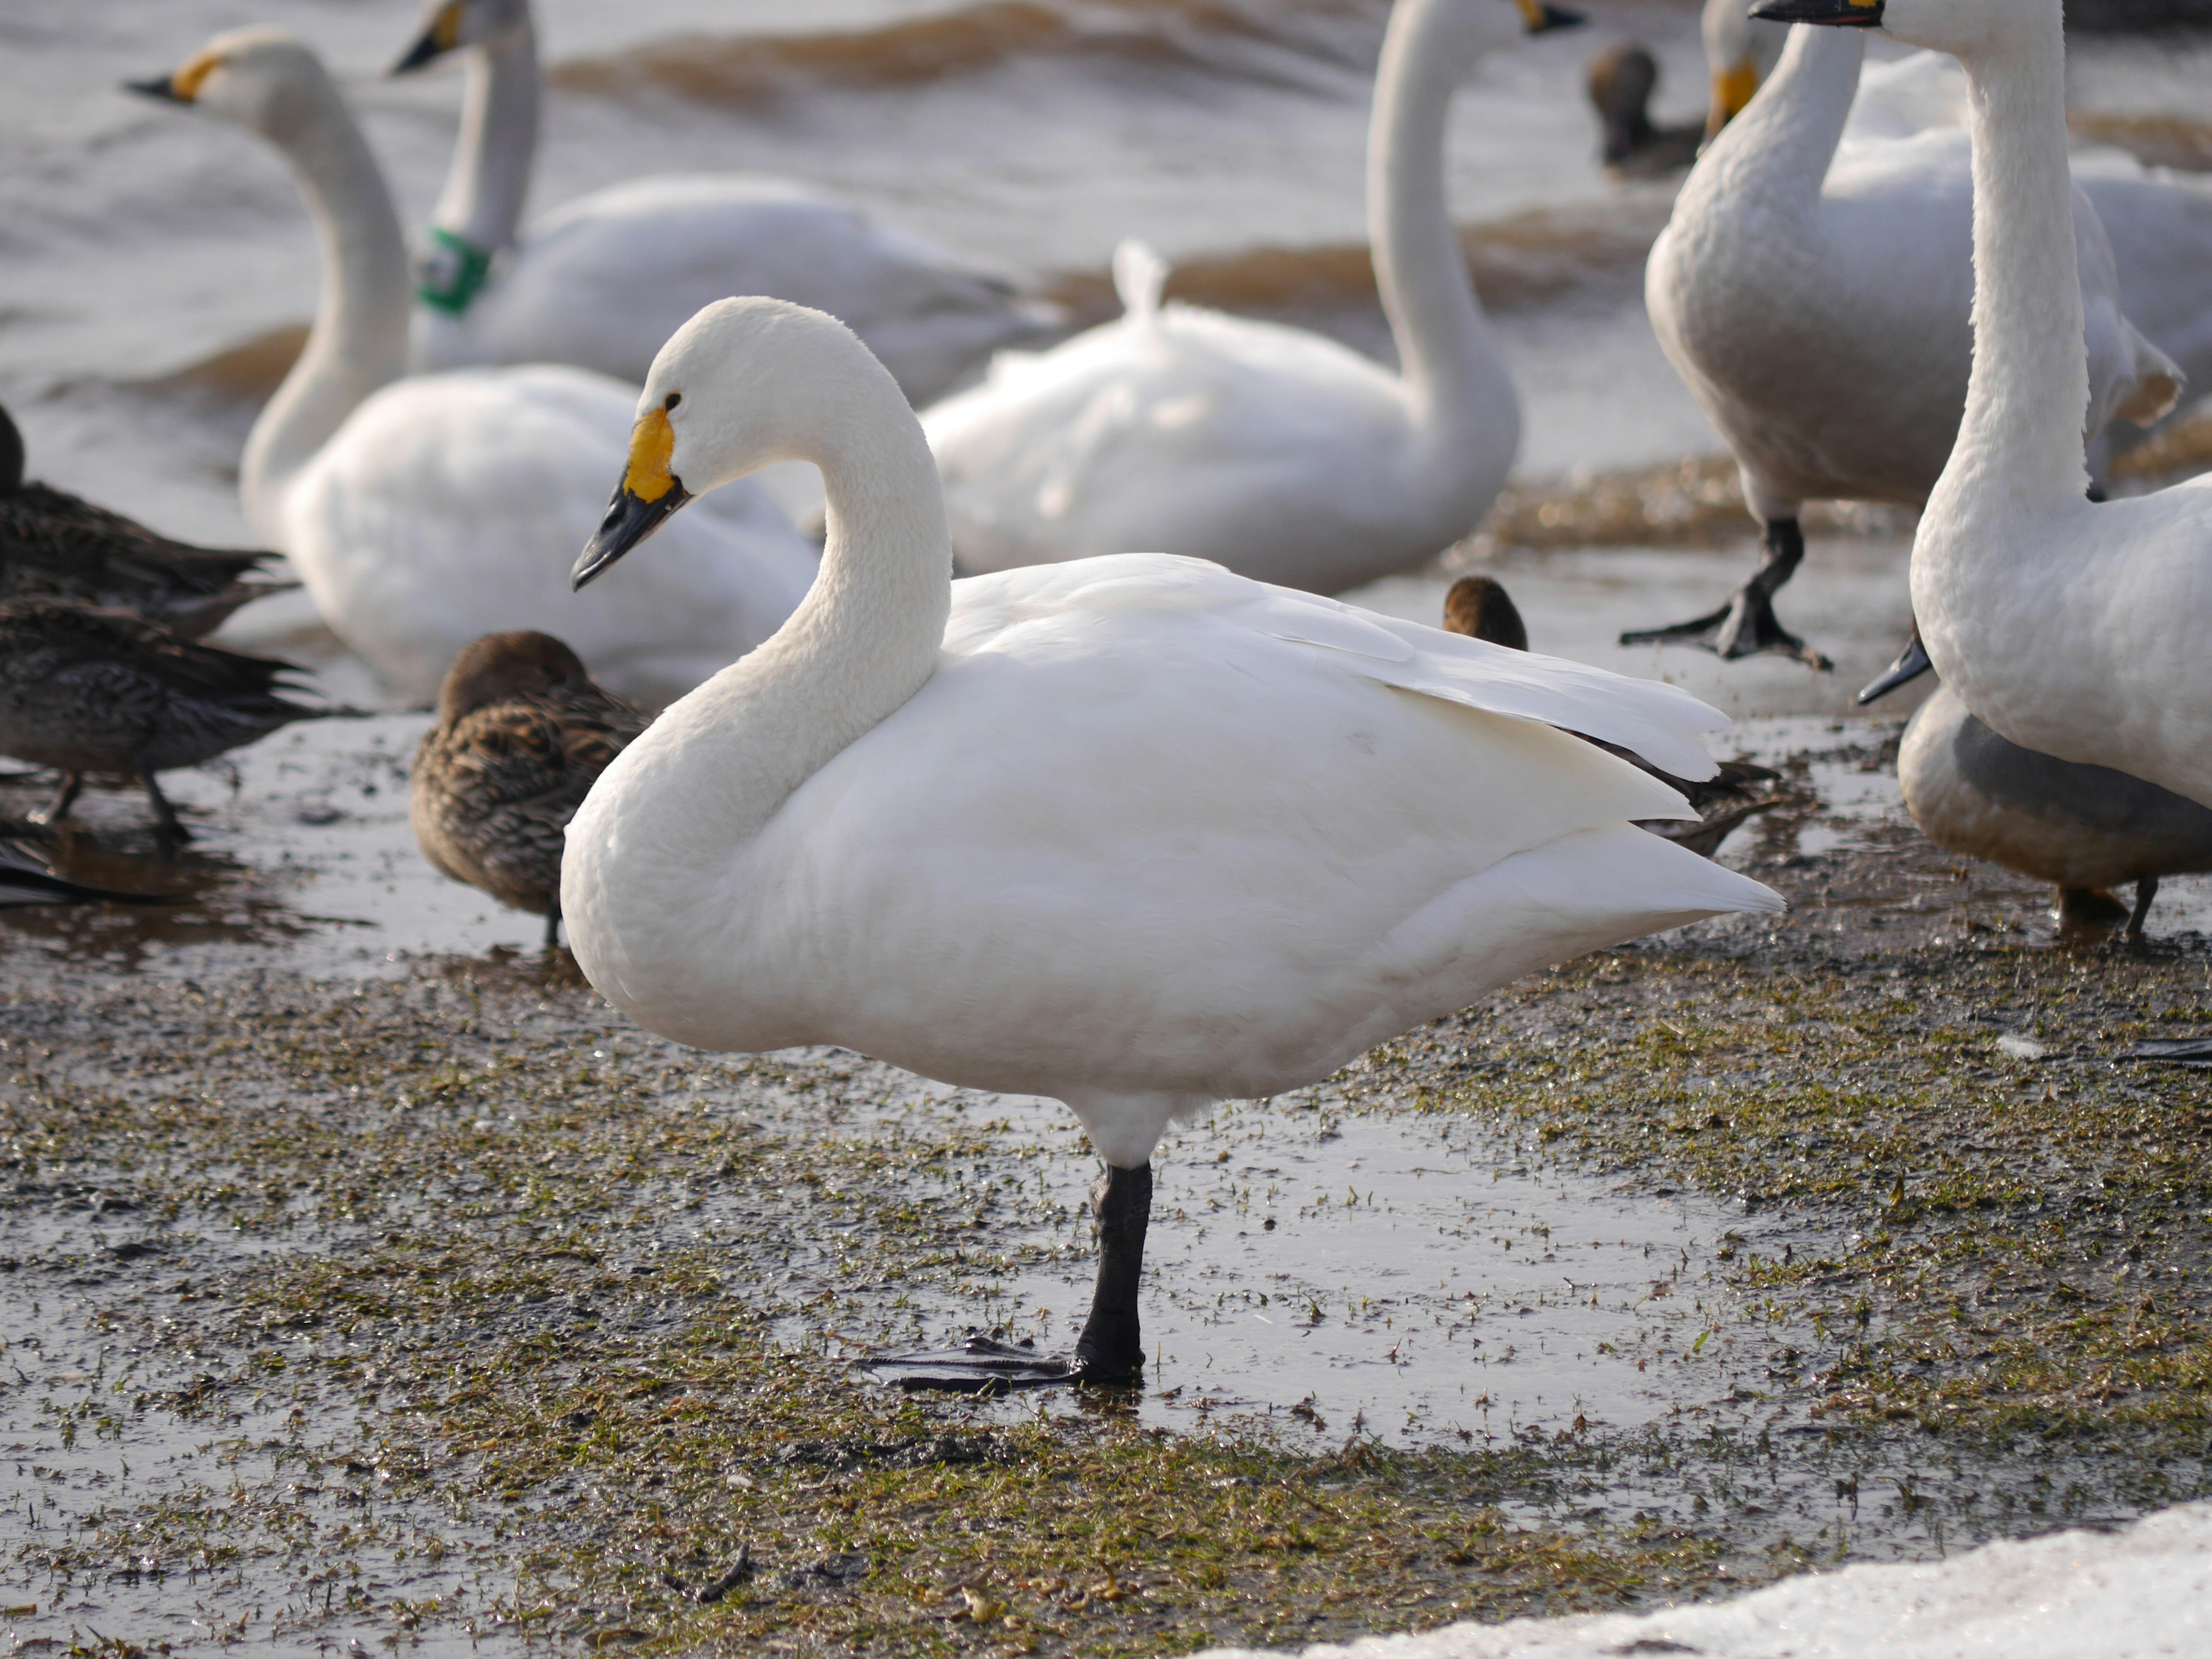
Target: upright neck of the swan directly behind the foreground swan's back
(1446,344)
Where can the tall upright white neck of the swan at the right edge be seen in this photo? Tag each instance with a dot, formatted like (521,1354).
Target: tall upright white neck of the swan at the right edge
(2030,388)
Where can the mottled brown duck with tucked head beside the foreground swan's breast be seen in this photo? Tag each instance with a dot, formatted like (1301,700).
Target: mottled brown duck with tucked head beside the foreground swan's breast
(523,733)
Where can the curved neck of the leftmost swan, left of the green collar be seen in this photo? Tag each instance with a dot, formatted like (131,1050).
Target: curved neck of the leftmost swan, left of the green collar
(359,337)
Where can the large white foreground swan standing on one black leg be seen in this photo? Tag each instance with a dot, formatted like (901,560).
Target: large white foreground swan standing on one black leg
(1134,833)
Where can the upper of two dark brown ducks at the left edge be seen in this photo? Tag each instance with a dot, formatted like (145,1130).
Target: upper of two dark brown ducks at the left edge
(61,547)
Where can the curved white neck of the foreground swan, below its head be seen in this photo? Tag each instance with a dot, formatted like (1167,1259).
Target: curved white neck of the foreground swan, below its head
(685,800)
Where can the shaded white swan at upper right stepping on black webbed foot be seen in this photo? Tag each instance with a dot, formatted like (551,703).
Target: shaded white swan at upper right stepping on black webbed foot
(1817,304)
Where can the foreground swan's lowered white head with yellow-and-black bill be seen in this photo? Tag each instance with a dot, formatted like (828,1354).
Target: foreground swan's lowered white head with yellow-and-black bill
(742,386)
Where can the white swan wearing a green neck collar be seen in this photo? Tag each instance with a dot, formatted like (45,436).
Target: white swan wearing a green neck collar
(607,278)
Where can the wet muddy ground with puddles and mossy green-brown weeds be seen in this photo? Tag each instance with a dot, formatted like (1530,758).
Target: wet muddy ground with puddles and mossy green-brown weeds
(368,1284)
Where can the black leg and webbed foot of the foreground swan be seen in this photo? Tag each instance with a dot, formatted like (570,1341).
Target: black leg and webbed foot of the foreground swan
(1112,1348)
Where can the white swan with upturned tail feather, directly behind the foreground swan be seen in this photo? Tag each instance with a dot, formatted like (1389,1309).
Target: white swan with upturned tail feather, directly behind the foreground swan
(1271,450)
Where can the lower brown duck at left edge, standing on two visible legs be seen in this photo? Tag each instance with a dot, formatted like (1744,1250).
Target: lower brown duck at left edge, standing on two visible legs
(103,691)
